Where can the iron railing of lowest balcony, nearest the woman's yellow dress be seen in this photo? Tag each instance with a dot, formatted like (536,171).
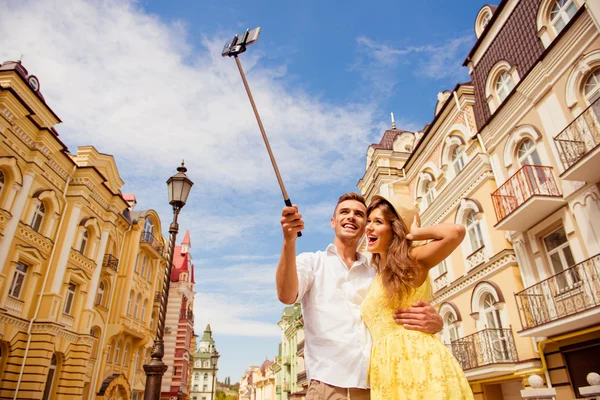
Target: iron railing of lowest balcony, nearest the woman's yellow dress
(489,346)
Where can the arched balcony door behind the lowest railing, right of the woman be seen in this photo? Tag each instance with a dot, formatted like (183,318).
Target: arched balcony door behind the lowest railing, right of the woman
(496,348)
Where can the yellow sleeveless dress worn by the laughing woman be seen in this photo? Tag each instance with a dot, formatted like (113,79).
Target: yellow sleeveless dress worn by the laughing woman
(408,364)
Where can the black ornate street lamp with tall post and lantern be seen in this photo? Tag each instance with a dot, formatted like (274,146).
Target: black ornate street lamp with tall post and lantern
(179,188)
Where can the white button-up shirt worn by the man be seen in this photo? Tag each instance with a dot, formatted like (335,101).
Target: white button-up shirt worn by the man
(337,344)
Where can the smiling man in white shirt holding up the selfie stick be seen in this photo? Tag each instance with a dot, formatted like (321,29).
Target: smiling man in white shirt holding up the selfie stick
(331,285)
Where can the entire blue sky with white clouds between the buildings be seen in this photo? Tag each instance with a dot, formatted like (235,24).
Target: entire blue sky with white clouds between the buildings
(145,81)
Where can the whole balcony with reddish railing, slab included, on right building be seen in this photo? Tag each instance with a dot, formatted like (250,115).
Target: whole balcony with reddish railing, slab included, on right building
(527,197)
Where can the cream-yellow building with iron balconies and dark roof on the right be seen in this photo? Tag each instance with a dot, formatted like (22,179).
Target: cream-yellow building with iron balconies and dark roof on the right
(514,156)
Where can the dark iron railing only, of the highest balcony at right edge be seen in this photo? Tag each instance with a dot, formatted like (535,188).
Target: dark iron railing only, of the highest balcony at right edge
(580,137)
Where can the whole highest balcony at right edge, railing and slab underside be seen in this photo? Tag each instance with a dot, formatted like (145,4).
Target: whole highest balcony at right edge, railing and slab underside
(579,146)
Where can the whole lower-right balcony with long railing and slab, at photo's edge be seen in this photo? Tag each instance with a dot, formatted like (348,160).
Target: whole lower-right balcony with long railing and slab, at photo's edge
(564,302)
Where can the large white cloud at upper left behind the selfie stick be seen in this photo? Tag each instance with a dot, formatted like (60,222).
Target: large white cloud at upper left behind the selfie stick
(135,87)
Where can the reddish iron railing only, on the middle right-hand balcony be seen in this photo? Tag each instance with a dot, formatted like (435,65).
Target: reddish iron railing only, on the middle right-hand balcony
(529,181)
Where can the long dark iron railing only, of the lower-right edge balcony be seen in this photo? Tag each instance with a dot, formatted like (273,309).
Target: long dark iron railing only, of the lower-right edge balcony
(569,292)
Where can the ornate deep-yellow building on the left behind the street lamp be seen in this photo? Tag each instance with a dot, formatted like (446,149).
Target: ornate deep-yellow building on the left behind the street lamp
(79,266)
